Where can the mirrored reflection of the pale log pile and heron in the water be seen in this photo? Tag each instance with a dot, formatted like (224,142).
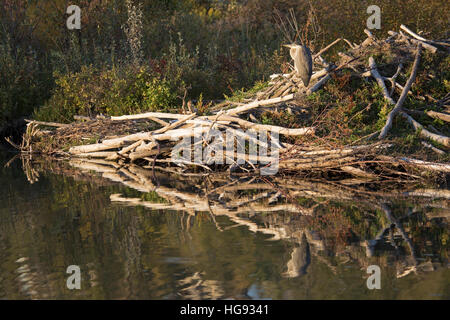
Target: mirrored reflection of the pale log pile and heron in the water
(272,198)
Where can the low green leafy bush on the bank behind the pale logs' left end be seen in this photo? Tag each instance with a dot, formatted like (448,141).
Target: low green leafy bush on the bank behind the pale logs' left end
(110,92)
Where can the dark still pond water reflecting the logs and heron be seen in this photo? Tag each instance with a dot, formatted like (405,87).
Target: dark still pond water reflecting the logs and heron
(130,244)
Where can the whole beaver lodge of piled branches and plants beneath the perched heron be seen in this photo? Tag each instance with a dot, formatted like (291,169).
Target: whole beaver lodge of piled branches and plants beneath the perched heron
(399,128)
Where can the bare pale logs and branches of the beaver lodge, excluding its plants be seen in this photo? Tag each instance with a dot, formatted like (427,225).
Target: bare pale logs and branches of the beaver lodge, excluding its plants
(152,147)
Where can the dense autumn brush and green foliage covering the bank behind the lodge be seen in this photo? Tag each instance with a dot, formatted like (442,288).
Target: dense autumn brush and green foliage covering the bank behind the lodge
(206,47)
